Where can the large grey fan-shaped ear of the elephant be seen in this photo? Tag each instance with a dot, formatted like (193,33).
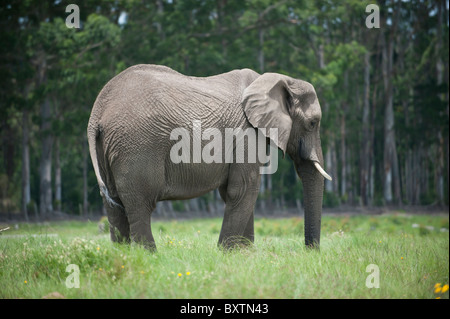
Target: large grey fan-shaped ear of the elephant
(265,103)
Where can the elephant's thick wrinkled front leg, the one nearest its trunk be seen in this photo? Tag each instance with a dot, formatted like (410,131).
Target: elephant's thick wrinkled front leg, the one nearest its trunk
(241,194)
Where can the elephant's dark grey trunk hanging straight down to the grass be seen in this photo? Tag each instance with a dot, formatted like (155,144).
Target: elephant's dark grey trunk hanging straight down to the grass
(313,183)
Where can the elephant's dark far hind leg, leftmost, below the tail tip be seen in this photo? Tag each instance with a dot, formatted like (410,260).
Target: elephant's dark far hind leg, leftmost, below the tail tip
(119,227)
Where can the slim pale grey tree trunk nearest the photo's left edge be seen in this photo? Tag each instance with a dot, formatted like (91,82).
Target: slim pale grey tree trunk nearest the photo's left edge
(26,195)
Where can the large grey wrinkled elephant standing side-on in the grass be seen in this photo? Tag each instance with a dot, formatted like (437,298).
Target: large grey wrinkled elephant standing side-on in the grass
(130,144)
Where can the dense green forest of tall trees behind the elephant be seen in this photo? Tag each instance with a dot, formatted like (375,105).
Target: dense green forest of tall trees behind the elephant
(381,75)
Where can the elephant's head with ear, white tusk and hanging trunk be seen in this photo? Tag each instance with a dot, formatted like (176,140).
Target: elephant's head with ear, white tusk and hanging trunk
(278,101)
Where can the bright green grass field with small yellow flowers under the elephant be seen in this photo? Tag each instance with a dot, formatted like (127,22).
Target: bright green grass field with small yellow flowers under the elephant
(410,254)
